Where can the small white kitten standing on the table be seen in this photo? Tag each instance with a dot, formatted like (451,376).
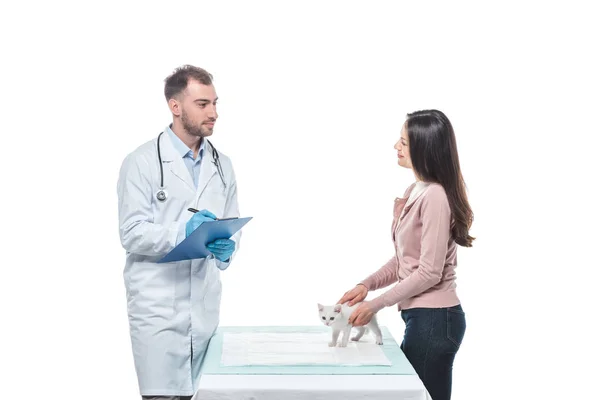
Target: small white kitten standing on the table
(337,316)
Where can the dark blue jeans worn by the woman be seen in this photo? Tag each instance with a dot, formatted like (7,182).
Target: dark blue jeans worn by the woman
(431,340)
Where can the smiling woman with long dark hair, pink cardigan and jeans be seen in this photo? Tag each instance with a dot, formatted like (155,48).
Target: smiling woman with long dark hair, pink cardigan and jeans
(429,222)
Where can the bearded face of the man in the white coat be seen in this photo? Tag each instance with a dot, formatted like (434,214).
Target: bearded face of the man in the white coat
(198,109)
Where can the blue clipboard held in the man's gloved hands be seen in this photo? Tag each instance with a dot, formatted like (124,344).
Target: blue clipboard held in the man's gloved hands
(194,246)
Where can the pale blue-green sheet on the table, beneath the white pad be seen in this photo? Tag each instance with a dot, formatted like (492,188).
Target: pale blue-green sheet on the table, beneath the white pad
(212,360)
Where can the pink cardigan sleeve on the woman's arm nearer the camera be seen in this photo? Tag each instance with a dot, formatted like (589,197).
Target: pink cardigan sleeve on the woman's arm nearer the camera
(436,216)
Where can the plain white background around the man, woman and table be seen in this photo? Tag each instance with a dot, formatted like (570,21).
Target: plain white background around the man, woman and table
(312,99)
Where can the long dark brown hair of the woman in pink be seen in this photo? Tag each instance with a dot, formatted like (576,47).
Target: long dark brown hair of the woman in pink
(434,156)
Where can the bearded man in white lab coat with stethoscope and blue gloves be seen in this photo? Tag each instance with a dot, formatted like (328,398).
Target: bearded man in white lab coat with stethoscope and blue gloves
(174,307)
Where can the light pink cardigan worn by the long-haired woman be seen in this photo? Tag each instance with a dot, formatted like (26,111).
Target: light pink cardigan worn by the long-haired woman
(423,267)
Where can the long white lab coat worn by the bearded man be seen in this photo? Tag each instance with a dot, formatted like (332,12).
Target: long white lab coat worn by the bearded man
(173,307)
